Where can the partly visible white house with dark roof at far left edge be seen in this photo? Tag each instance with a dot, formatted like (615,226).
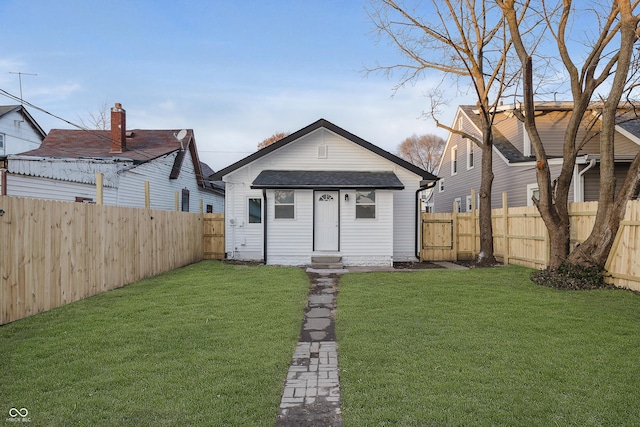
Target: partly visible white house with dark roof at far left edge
(18,132)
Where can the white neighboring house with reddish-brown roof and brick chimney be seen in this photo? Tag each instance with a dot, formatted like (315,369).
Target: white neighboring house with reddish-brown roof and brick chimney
(66,165)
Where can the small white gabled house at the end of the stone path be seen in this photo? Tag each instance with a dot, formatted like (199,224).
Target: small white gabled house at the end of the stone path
(323,191)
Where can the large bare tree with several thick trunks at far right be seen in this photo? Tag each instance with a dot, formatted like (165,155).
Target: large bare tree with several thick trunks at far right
(606,65)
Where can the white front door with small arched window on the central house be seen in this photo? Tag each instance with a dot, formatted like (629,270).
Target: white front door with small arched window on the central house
(326,220)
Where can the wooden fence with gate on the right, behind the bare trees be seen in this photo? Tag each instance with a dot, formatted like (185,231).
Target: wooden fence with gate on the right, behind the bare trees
(520,237)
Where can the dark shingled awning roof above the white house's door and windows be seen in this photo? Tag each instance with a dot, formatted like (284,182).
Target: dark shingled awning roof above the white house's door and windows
(326,179)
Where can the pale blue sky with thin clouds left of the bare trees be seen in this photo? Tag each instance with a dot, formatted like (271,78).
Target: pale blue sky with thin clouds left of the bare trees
(234,71)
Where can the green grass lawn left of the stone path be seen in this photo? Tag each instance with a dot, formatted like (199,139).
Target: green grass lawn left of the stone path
(208,344)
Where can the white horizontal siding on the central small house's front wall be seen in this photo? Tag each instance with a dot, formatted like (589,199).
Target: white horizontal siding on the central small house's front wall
(390,236)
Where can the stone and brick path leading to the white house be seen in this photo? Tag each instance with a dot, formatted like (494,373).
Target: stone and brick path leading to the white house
(311,395)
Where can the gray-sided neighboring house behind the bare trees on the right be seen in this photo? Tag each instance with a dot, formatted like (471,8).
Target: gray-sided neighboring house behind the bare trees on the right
(514,161)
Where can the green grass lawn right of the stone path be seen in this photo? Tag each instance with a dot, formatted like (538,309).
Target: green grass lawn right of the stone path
(485,347)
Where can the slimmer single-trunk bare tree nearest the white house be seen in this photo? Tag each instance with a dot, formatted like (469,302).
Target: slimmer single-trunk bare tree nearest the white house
(465,40)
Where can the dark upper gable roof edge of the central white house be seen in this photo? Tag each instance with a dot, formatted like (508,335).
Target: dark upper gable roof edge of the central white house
(322,123)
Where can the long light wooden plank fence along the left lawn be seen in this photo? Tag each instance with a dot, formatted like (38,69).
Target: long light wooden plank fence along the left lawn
(54,253)
